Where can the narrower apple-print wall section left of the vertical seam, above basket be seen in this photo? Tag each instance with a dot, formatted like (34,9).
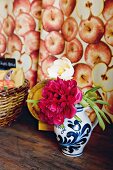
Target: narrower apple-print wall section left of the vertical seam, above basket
(19,34)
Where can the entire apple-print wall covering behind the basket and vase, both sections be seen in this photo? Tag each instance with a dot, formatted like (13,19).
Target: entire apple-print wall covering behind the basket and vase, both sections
(80,30)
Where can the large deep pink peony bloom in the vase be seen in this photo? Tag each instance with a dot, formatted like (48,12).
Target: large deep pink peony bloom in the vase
(58,101)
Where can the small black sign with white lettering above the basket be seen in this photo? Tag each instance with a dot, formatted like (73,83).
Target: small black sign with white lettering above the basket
(7,63)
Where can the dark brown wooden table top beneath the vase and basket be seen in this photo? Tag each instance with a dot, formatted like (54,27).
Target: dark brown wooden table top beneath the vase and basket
(23,147)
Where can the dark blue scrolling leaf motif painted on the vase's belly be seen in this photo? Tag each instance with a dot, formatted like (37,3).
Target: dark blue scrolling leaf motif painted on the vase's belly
(76,137)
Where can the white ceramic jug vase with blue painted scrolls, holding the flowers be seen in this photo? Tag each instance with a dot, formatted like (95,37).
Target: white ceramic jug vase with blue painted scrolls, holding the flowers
(74,134)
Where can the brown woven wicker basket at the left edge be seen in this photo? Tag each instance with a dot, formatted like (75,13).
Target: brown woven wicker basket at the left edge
(11,103)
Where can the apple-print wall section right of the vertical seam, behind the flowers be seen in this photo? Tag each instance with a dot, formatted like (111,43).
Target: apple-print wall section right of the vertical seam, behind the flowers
(82,31)
